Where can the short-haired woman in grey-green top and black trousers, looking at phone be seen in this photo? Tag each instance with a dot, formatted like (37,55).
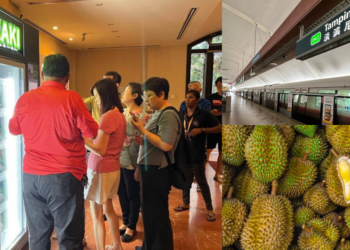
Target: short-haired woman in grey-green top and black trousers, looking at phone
(161,134)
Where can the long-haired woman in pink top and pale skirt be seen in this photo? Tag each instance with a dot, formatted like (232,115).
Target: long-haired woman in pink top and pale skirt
(103,163)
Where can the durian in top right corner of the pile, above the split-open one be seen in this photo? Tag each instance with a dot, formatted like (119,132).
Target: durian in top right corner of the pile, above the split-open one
(339,138)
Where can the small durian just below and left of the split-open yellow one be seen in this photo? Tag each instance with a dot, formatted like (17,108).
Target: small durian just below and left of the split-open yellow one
(317,198)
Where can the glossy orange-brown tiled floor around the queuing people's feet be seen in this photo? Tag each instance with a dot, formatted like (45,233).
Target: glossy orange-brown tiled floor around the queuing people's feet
(191,229)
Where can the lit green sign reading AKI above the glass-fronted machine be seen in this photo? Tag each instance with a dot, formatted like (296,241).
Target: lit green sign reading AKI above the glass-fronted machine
(11,34)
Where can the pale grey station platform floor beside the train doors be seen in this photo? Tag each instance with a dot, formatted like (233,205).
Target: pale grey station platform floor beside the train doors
(246,112)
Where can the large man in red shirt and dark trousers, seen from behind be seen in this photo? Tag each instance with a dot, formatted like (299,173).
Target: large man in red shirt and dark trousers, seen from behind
(53,122)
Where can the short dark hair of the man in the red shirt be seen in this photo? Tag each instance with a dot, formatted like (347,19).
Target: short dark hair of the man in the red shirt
(56,65)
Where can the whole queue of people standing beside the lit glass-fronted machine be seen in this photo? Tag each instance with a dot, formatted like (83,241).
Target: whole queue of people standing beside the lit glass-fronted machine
(108,146)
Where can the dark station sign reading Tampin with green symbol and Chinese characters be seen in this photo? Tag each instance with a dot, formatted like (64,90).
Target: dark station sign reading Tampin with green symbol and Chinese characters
(329,35)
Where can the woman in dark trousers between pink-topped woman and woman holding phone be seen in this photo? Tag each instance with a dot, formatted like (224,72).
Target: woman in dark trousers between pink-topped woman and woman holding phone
(129,188)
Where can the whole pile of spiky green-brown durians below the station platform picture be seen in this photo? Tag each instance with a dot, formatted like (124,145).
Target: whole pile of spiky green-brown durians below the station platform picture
(286,187)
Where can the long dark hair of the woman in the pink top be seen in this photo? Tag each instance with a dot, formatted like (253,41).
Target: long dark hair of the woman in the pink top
(109,95)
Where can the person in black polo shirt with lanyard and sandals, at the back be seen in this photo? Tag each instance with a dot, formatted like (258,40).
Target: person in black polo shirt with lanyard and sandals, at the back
(197,123)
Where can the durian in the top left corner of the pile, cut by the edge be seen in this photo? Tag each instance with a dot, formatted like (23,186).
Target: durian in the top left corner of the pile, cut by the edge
(233,140)
